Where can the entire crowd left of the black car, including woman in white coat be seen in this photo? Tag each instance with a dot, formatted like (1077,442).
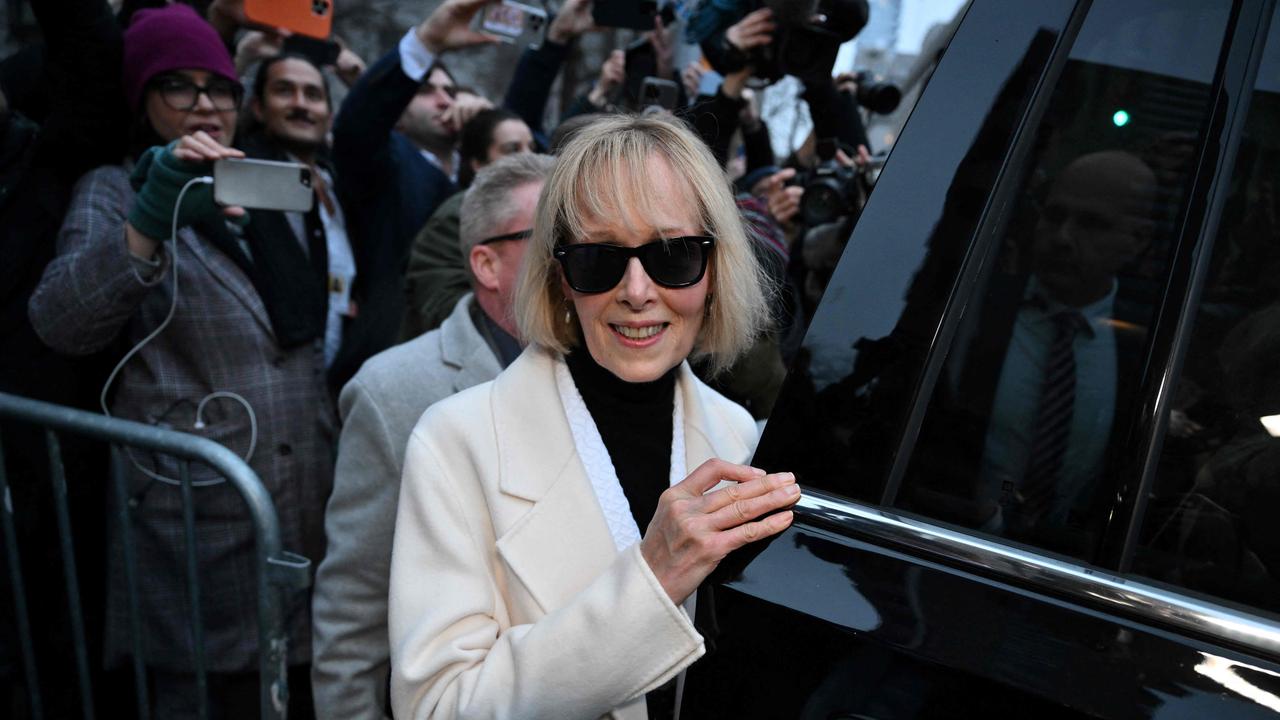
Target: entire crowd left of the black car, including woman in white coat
(541,555)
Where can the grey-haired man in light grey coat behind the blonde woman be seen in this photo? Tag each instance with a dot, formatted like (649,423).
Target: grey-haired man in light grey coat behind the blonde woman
(380,409)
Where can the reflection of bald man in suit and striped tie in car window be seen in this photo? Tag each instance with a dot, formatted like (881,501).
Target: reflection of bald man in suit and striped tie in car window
(1030,403)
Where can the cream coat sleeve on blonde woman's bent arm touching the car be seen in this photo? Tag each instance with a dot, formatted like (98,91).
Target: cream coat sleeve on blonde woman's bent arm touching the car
(455,657)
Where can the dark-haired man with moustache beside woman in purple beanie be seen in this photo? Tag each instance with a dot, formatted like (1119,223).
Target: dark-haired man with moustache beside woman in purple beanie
(290,121)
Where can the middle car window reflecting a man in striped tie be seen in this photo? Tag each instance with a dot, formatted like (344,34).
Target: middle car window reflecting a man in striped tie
(1026,429)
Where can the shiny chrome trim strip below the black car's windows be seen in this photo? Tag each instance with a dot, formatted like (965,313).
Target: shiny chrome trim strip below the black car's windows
(1126,596)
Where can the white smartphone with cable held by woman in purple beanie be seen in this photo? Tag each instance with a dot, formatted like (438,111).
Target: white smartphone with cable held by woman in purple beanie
(266,185)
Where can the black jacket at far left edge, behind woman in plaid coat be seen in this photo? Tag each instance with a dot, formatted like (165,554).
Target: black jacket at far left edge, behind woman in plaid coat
(85,126)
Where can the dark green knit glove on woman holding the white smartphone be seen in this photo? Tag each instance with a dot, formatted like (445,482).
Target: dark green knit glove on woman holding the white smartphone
(159,179)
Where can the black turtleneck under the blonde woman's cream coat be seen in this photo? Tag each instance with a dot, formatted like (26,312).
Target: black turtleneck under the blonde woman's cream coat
(636,425)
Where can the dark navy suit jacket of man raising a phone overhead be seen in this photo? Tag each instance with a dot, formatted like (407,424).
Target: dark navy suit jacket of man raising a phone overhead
(387,190)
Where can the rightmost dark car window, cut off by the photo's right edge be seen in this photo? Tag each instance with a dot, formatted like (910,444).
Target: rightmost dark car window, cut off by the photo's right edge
(1210,522)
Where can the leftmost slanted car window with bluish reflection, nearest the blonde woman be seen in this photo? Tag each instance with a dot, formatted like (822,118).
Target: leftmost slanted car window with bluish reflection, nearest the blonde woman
(840,416)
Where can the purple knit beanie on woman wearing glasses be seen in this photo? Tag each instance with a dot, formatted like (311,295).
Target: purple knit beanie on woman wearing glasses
(171,39)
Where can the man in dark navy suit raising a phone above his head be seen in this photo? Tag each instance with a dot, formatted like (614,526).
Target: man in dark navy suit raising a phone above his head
(395,156)
